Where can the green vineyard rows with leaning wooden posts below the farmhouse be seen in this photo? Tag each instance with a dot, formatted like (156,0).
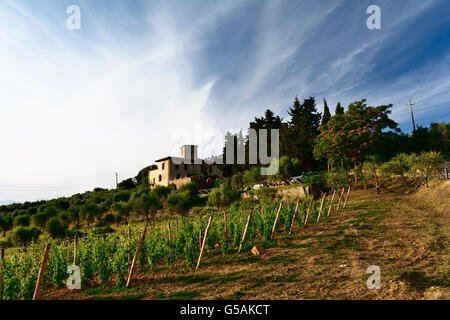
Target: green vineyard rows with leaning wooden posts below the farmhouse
(107,259)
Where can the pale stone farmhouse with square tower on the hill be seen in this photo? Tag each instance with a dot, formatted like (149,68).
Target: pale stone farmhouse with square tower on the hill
(180,170)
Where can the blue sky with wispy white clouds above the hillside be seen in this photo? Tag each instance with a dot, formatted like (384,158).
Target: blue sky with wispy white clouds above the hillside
(141,78)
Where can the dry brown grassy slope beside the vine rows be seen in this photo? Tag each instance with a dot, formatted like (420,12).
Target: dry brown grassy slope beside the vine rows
(406,235)
